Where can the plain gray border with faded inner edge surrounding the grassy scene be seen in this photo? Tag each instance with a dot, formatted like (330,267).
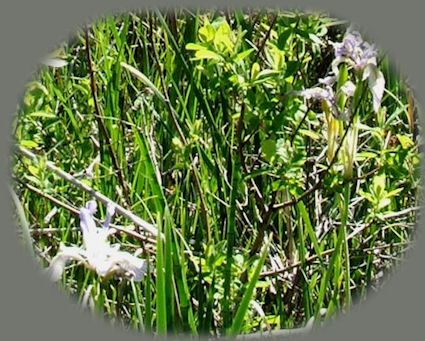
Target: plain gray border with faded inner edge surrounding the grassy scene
(30,307)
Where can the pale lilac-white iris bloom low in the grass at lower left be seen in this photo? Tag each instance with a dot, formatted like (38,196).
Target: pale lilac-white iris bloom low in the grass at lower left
(97,254)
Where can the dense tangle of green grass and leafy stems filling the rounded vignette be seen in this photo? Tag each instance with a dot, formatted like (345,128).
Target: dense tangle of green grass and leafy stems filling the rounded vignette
(263,167)
